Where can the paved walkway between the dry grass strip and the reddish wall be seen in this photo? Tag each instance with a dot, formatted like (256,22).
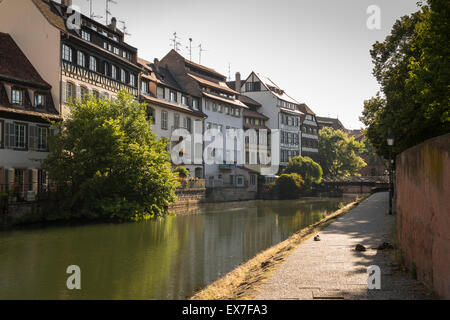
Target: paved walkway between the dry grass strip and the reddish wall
(332,269)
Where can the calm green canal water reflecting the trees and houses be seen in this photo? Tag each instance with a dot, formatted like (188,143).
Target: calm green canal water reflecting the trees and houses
(167,258)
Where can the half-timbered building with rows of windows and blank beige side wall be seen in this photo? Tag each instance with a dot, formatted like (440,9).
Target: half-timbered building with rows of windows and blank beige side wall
(89,58)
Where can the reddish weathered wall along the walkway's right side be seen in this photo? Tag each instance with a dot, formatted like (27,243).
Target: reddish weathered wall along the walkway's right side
(423,212)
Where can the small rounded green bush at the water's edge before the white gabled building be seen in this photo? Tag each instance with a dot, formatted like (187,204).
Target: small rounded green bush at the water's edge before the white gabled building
(310,171)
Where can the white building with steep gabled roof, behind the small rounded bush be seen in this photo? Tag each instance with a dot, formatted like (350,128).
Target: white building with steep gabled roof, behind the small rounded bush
(282,111)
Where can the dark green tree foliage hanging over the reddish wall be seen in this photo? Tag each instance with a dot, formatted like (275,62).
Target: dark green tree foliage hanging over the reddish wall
(412,67)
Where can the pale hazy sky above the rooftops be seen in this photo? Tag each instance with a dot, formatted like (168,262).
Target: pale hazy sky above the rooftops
(315,50)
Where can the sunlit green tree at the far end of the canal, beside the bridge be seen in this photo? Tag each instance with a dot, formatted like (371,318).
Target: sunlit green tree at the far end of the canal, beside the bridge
(338,153)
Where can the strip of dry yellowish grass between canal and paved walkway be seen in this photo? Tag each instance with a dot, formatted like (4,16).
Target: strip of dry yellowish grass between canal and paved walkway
(242,282)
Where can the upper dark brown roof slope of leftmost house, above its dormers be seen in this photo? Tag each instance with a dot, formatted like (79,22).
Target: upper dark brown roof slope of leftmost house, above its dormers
(15,66)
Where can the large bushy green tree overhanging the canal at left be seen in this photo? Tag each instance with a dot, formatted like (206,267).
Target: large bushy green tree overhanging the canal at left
(108,162)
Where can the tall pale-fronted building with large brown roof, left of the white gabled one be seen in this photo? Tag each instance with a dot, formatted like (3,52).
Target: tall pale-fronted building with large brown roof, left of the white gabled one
(223,159)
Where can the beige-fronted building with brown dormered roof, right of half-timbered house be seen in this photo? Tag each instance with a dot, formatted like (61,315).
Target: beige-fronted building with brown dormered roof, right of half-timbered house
(171,108)
